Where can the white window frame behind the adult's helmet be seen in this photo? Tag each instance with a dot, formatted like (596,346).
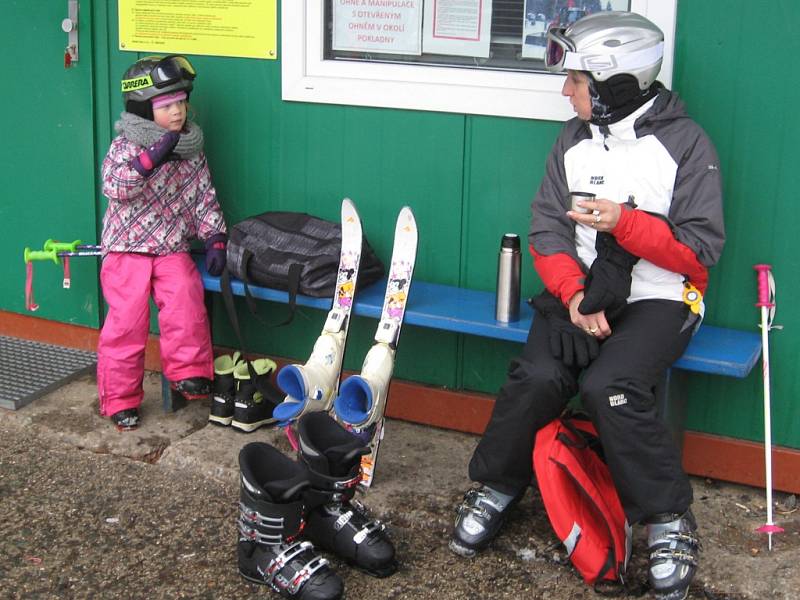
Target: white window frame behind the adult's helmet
(307,77)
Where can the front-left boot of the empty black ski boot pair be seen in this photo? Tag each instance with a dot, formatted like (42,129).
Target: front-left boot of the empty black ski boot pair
(270,520)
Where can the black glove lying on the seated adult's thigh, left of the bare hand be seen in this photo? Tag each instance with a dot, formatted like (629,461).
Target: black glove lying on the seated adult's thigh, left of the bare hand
(569,343)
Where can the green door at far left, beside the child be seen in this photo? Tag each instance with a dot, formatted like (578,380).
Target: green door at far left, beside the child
(46,162)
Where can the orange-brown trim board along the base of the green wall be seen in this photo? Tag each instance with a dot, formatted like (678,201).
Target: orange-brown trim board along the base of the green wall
(704,455)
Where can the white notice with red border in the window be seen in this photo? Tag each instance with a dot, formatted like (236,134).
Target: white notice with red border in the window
(458,27)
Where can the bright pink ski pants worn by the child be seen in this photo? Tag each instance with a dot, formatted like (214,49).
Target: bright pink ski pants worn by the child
(128,281)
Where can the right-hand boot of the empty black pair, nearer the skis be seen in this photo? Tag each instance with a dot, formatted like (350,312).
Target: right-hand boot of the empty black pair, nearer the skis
(337,522)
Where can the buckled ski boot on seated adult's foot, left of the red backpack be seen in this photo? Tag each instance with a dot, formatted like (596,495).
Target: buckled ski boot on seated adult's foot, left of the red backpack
(479,519)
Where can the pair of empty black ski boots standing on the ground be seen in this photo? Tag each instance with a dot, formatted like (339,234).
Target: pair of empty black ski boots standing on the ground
(282,501)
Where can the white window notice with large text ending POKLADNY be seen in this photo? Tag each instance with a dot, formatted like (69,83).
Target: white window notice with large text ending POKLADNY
(385,26)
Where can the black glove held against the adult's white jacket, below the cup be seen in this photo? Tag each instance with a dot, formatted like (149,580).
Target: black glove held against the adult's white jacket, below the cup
(608,284)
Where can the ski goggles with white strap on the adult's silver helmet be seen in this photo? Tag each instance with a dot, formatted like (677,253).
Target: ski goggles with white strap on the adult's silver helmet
(560,54)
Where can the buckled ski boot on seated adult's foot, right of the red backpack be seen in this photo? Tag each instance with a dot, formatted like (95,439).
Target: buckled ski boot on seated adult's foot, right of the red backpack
(674,548)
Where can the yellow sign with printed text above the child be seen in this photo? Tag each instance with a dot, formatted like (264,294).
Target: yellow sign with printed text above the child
(243,28)
